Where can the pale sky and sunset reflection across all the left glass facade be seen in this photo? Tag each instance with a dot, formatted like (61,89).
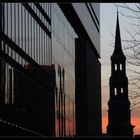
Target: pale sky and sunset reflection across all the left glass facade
(59,49)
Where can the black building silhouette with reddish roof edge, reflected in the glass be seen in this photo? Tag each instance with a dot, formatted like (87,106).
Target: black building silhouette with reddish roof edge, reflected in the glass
(32,104)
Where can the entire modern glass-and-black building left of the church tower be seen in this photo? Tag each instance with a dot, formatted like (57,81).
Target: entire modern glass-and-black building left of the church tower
(50,82)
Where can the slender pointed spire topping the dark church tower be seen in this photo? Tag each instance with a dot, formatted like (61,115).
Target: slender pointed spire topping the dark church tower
(118,46)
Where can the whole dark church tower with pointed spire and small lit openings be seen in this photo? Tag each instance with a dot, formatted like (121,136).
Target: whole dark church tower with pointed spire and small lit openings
(119,113)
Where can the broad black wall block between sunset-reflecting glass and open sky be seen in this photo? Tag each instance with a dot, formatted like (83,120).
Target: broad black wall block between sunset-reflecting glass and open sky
(88,89)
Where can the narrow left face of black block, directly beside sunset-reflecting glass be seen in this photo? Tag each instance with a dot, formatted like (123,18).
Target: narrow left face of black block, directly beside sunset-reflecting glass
(80,87)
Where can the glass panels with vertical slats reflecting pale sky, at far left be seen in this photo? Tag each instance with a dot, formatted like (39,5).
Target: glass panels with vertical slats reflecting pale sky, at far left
(21,28)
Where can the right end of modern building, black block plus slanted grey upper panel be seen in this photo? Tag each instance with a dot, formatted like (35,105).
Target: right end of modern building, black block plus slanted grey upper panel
(85,19)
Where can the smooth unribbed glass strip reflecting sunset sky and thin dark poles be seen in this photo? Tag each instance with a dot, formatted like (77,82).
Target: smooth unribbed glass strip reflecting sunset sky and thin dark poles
(63,56)
